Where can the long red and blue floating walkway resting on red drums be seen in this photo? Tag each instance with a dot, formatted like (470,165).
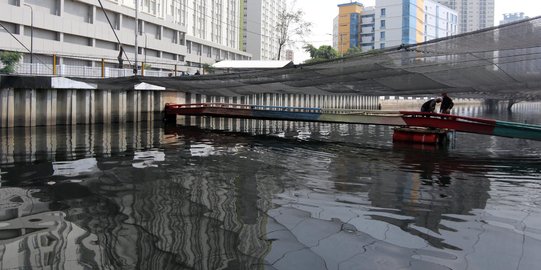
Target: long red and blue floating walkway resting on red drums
(409,119)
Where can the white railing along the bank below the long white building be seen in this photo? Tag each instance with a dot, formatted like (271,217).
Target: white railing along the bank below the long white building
(83,71)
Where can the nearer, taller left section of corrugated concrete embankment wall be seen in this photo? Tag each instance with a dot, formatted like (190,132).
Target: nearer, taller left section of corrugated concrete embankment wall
(42,107)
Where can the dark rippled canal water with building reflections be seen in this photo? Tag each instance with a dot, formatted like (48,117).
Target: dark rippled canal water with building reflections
(215,193)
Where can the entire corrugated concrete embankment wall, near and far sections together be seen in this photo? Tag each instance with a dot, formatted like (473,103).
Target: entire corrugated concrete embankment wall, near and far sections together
(72,103)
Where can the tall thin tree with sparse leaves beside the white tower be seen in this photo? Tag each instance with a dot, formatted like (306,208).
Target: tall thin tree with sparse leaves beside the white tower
(291,25)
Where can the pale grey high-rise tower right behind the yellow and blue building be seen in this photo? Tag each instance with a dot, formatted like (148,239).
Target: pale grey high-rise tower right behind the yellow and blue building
(472,14)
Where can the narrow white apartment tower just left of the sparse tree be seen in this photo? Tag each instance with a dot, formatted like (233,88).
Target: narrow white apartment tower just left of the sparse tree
(259,25)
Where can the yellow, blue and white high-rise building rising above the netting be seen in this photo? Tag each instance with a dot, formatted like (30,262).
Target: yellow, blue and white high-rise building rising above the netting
(391,23)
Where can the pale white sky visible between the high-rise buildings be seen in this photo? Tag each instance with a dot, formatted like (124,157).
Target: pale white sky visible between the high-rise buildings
(322,12)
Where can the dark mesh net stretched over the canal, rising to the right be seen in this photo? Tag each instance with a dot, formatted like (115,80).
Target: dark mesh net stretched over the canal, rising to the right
(502,62)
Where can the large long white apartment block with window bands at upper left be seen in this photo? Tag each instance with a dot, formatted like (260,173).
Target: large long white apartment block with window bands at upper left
(179,33)
